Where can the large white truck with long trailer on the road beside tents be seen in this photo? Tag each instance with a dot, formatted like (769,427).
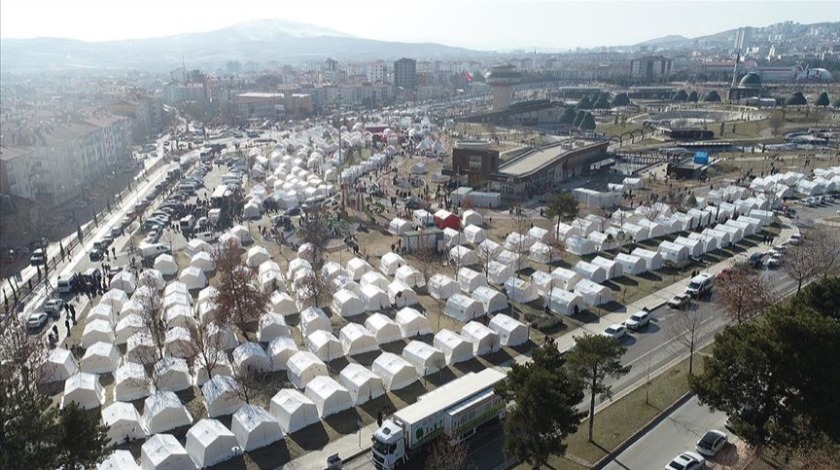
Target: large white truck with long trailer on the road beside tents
(453,411)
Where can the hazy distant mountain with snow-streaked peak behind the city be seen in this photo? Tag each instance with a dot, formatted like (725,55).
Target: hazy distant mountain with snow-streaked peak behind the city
(258,41)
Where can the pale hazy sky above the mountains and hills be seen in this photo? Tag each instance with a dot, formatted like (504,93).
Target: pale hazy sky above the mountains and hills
(488,24)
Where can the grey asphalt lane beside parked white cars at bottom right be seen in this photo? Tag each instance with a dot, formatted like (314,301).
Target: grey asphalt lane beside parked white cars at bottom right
(676,433)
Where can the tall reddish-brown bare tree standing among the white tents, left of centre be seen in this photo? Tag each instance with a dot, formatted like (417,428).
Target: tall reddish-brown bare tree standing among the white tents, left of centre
(239,298)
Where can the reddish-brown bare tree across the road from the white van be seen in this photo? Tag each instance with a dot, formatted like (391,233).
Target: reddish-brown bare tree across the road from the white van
(743,293)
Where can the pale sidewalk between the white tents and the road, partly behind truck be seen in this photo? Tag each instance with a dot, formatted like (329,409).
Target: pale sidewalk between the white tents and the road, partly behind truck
(348,446)
